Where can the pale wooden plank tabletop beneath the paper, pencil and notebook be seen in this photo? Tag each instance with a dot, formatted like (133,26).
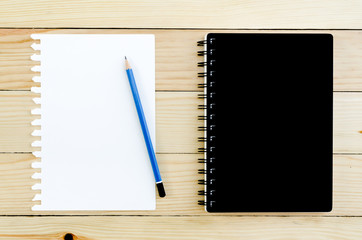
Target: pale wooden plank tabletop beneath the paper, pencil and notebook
(177,26)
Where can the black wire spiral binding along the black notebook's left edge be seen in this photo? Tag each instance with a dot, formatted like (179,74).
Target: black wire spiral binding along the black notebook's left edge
(208,119)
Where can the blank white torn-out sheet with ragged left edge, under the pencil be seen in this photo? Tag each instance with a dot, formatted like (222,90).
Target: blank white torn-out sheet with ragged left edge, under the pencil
(93,154)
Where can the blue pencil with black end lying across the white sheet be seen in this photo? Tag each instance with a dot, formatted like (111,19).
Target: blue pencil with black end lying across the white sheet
(146,134)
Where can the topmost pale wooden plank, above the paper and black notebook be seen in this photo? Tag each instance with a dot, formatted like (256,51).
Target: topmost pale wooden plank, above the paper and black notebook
(332,14)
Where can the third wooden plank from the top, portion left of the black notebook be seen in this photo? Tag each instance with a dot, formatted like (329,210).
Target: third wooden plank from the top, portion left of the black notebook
(176,122)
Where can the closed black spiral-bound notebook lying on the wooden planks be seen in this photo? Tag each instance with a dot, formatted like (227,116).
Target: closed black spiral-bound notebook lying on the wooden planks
(268,122)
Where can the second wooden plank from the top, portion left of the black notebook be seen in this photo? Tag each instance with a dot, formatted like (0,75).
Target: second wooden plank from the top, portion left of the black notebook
(176,59)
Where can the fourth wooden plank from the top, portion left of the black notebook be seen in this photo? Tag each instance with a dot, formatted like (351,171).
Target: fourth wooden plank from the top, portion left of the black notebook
(179,172)
